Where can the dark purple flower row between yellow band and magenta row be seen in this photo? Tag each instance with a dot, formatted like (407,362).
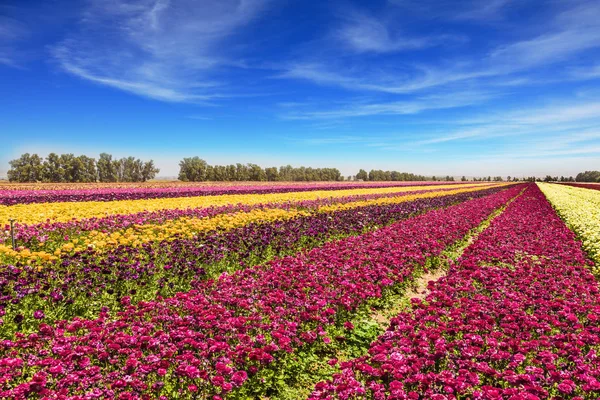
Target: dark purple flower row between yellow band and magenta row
(82,283)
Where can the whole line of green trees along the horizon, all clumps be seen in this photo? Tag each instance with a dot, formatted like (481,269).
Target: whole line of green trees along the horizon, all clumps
(71,168)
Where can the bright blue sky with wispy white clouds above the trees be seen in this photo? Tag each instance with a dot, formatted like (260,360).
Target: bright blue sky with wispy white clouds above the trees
(508,87)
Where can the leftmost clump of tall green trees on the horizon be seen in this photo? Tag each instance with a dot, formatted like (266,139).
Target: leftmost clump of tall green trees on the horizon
(72,168)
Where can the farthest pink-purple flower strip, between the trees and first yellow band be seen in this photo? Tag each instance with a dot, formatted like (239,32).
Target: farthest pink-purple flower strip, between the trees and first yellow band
(12,196)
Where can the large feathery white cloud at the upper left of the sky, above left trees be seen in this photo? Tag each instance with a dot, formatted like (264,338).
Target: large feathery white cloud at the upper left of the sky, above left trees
(164,50)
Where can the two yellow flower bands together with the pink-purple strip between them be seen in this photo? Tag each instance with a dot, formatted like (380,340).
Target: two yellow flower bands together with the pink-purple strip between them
(46,231)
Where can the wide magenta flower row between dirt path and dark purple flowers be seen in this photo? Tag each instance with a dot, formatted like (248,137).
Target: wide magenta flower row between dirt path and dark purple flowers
(222,334)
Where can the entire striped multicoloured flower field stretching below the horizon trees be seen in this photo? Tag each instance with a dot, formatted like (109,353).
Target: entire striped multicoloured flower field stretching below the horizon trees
(277,291)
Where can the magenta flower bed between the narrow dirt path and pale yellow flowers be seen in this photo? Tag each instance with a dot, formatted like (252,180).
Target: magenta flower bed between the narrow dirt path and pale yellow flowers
(516,318)
